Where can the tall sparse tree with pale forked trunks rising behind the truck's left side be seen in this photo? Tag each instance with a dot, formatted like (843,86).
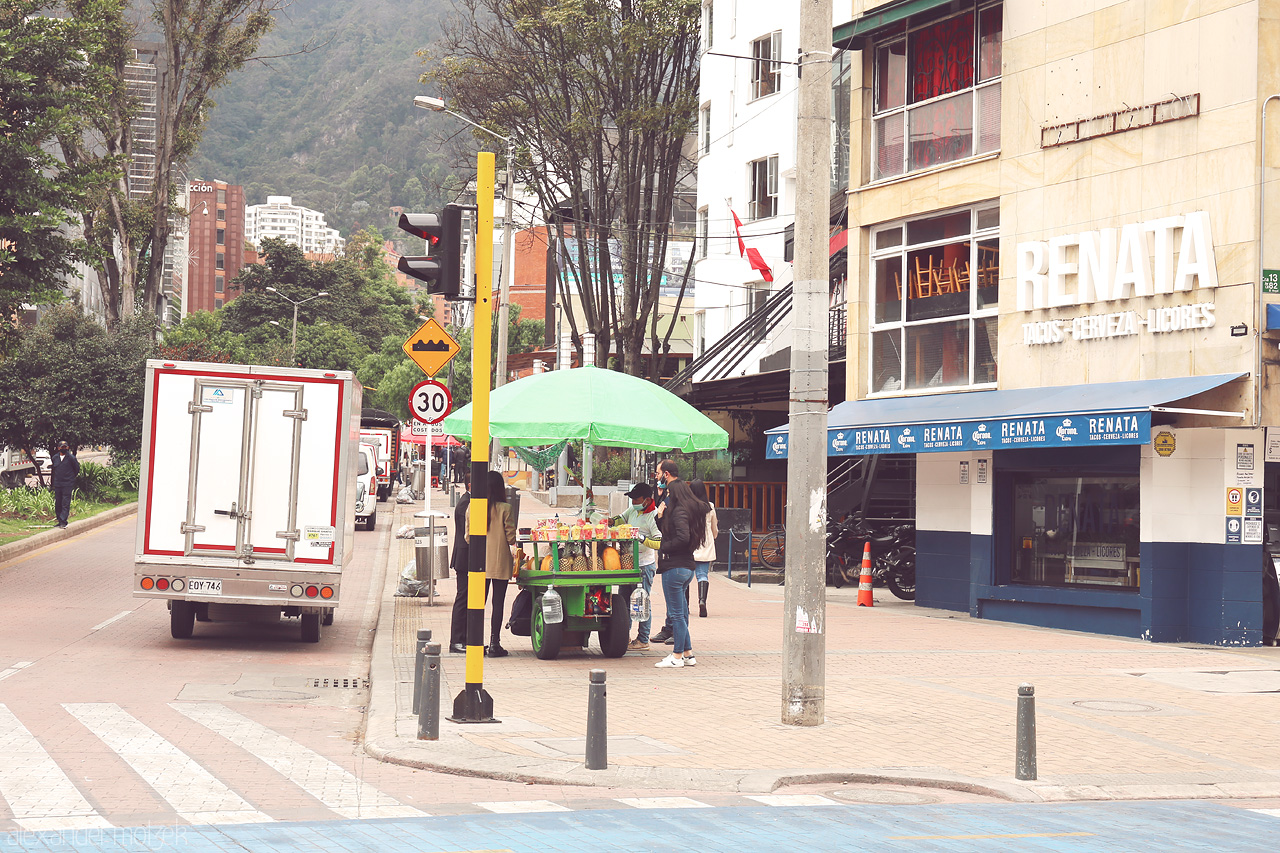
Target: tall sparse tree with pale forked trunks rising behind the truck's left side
(203,44)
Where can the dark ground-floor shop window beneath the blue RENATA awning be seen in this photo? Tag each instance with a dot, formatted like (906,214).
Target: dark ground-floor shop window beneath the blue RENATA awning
(1076,531)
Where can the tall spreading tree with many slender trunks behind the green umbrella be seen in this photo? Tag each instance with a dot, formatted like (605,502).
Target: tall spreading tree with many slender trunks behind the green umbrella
(602,97)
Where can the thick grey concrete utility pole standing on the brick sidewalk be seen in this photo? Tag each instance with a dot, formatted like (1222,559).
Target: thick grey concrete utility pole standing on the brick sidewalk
(804,613)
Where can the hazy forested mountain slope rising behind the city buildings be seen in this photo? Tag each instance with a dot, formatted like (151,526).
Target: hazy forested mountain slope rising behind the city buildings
(336,127)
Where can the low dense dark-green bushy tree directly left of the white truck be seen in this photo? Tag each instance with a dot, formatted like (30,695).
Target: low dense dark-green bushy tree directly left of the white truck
(71,380)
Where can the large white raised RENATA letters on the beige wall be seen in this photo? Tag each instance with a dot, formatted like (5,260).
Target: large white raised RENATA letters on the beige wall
(1114,264)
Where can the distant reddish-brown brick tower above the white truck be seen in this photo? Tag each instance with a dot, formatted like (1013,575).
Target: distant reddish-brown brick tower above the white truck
(216,244)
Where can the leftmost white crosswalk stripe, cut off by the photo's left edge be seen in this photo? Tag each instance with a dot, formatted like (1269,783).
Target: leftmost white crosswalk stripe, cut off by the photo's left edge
(40,795)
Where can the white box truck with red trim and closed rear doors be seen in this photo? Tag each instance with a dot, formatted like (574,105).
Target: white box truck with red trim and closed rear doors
(246,505)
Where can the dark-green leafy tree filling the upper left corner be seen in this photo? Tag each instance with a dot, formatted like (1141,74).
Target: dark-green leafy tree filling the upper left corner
(52,83)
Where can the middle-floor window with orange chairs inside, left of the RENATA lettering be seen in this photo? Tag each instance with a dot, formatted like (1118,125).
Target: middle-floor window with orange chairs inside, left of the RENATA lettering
(936,291)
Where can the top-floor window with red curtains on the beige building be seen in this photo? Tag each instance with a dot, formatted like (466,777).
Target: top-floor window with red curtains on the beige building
(938,92)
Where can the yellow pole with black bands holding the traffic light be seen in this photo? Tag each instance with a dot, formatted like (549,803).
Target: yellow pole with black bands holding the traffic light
(474,704)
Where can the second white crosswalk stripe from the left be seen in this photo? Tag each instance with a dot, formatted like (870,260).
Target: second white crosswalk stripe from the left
(189,788)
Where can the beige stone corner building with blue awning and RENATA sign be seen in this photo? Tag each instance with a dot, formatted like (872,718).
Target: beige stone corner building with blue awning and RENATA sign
(1059,307)
